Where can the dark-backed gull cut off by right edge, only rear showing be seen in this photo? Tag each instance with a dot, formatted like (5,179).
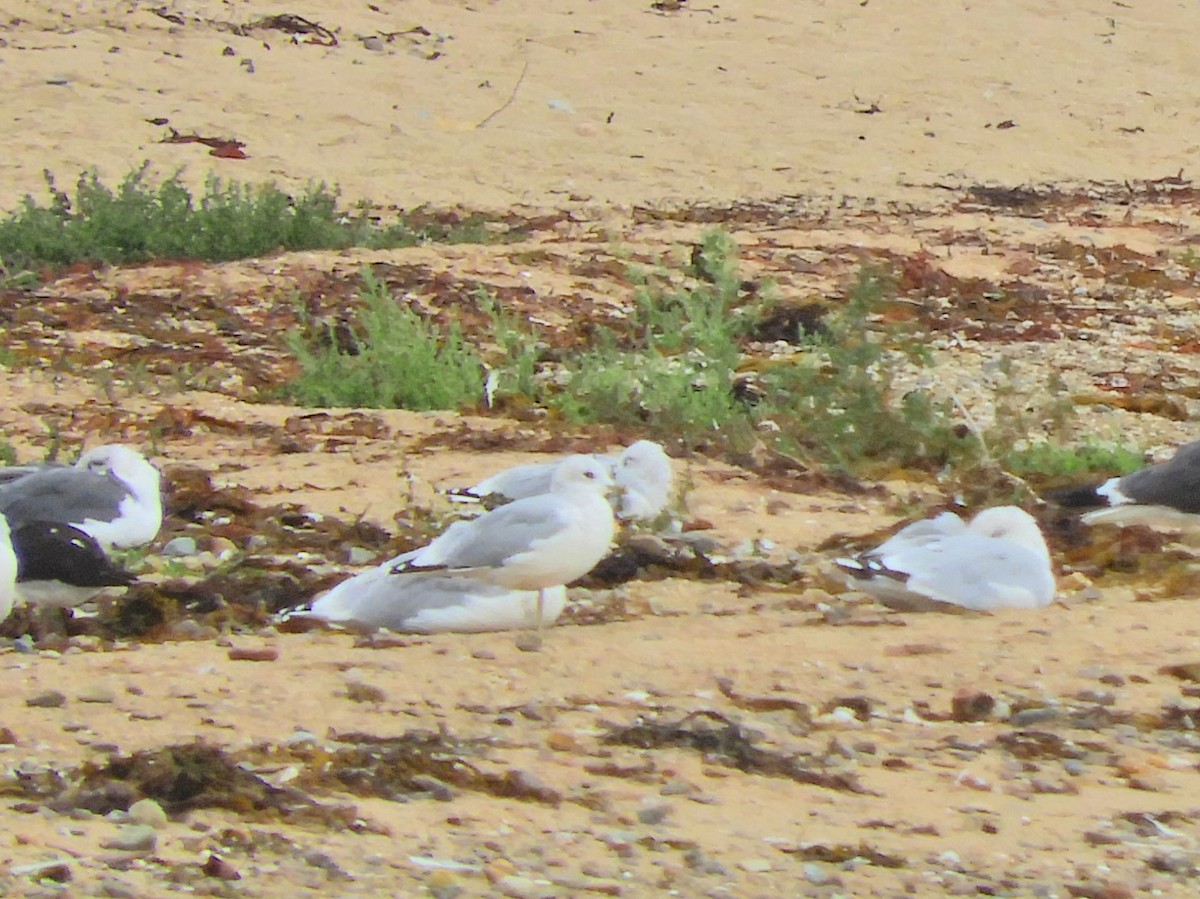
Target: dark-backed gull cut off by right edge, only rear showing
(1167,494)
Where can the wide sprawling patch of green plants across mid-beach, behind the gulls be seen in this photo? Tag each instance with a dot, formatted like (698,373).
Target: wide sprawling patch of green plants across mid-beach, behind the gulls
(676,369)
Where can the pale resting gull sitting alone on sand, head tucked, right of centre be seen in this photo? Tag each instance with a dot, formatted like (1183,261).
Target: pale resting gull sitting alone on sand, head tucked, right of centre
(1000,560)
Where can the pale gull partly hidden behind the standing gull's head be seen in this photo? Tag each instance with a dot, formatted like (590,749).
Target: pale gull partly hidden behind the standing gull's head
(641,472)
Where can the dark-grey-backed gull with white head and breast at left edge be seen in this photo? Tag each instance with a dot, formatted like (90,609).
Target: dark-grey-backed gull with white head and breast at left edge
(112,494)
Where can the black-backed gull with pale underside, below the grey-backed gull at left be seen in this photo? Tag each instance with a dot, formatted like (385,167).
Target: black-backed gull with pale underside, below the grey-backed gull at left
(59,566)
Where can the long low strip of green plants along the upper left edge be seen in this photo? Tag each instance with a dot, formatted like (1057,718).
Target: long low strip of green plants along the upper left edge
(141,220)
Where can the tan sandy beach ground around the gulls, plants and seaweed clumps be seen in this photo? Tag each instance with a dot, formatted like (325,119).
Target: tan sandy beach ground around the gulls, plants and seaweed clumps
(1078,781)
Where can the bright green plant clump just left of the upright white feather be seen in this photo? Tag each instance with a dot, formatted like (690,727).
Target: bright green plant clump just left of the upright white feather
(399,361)
